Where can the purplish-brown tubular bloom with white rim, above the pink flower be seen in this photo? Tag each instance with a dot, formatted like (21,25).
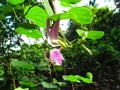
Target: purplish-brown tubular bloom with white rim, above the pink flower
(52,33)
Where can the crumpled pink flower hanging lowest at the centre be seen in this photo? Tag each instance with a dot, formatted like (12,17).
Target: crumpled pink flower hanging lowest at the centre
(56,56)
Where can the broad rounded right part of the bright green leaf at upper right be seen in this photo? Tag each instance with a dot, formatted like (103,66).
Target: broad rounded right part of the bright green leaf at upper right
(81,15)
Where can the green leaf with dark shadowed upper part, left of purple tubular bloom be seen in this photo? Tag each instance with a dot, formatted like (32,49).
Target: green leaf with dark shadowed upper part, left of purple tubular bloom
(29,30)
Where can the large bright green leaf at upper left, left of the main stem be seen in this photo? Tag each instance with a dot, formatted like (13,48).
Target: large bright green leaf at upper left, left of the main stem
(37,15)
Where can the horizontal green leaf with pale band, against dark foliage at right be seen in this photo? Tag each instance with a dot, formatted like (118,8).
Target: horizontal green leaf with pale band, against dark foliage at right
(90,34)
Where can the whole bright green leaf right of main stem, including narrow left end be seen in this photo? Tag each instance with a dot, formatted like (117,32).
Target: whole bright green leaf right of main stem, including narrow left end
(81,15)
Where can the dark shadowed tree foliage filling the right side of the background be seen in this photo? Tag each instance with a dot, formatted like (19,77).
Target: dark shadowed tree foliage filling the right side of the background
(105,61)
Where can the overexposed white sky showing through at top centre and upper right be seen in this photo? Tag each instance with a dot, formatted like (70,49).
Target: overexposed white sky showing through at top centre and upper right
(101,3)
